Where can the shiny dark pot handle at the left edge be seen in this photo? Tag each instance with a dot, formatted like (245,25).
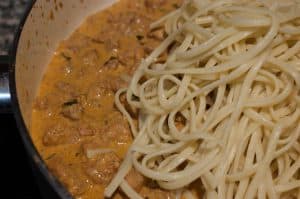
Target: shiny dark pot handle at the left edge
(5,100)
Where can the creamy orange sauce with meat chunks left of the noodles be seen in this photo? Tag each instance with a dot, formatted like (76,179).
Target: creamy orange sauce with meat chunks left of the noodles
(75,102)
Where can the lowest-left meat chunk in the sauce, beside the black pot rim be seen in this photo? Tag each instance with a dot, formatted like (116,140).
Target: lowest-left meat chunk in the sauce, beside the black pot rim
(69,175)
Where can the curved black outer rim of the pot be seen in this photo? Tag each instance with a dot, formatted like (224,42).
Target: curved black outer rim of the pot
(24,133)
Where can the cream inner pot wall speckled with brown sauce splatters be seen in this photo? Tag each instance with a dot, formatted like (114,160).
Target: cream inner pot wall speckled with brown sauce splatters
(49,22)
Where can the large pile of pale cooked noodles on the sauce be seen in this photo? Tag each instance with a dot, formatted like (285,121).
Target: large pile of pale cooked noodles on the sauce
(219,101)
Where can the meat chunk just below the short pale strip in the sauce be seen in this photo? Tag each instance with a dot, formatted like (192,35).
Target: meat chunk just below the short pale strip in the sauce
(102,169)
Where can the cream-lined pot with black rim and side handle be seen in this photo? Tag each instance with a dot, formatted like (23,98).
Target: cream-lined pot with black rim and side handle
(45,24)
